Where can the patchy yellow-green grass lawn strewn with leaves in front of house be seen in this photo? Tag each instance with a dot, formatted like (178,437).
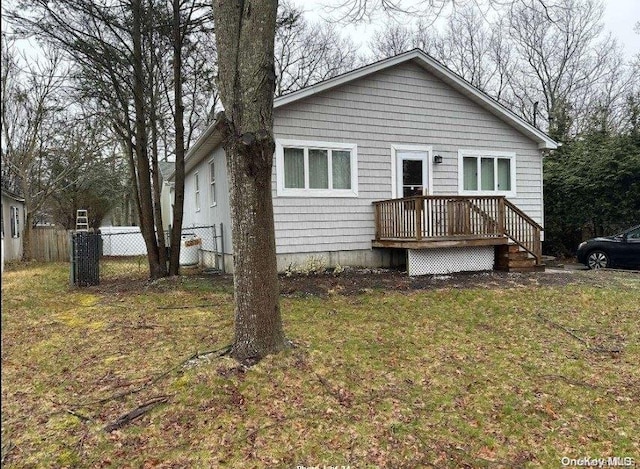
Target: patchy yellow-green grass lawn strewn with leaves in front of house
(498,375)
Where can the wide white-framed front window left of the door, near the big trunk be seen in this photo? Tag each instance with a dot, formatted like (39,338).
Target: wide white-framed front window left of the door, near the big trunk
(316,169)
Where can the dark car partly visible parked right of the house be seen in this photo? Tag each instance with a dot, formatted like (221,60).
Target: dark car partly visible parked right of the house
(621,250)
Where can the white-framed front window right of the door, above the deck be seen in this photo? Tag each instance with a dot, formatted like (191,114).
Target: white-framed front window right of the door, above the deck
(486,172)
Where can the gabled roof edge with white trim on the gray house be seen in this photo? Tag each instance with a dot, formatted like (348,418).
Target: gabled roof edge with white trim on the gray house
(210,139)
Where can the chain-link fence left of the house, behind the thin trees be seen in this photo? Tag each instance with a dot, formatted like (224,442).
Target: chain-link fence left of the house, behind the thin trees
(123,253)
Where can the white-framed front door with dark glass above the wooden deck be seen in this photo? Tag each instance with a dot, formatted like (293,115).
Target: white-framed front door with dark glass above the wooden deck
(412,173)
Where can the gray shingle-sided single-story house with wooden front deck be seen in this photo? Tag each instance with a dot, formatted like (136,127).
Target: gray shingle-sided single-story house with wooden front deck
(468,171)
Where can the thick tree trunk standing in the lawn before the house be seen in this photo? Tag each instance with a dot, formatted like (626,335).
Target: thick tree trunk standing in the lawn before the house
(245,33)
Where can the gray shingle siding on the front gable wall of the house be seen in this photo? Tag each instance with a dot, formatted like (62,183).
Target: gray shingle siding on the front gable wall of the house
(399,105)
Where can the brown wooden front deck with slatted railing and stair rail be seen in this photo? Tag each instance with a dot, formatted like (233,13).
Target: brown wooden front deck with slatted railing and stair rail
(424,222)
